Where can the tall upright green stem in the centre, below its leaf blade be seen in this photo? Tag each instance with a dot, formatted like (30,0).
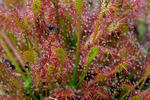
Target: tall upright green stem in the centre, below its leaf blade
(77,52)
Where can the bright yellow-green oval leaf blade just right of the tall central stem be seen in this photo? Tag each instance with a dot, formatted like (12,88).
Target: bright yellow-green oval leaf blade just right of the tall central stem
(92,53)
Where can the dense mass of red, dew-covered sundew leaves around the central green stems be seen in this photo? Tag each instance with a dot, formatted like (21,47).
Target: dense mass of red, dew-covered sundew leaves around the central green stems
(116,48)
